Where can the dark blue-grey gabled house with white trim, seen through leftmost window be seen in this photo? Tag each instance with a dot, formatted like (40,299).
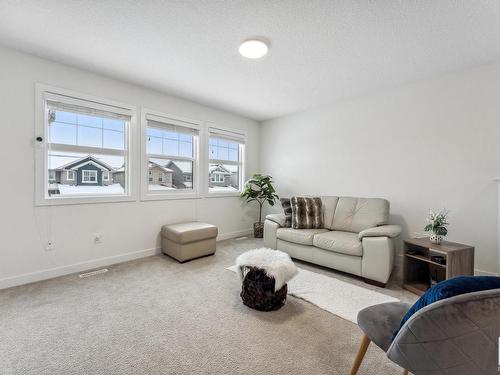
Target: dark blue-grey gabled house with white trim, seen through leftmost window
(87,171)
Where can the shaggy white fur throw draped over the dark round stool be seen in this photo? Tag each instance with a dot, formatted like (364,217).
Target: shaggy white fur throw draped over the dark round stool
(277,264)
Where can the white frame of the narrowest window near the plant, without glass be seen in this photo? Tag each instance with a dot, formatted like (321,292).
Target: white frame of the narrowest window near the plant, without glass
(239,136)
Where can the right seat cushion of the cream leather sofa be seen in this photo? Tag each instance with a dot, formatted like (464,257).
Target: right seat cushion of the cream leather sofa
(340,242)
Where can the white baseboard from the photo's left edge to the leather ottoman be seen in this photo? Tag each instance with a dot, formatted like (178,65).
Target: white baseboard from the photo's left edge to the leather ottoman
(74,268)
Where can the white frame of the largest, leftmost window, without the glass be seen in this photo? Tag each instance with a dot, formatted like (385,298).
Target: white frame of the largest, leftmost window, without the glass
(45,92)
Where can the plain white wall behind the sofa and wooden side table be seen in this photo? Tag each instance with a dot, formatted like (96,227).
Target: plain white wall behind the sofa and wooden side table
(433,144)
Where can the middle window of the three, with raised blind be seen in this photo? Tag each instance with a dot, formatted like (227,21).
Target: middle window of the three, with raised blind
(170,160)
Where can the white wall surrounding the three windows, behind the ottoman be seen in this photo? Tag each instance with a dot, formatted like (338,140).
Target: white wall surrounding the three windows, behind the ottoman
(127,228)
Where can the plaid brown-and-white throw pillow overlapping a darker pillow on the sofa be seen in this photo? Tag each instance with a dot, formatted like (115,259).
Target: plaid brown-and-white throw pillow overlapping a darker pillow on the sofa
(306,213)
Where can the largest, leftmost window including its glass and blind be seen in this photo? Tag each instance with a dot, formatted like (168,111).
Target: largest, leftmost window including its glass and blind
(86,142)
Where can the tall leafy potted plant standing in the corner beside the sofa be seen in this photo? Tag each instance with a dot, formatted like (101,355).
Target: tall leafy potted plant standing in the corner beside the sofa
(260,189)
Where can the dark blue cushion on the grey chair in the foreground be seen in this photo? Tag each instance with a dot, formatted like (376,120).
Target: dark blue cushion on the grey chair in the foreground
(450,288)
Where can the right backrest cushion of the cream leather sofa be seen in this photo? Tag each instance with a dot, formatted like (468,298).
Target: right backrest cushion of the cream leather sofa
(357,214)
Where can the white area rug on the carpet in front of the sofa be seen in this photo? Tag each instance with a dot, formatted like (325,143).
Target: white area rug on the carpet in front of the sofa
(335,296)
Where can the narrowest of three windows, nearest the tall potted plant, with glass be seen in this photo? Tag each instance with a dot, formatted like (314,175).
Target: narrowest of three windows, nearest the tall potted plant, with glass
(226,162)
